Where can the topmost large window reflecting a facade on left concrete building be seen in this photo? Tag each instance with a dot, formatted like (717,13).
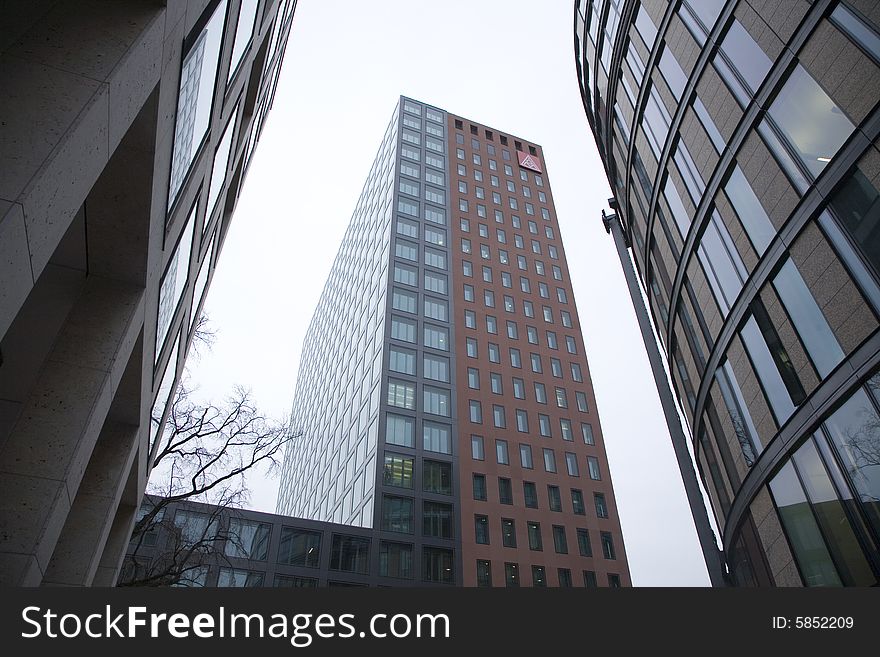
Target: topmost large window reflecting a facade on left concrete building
(195,97)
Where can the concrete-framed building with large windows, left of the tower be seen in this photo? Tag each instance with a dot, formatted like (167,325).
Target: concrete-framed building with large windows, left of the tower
(126,130)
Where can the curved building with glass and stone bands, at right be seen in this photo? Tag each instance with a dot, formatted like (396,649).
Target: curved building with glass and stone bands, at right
(740,140)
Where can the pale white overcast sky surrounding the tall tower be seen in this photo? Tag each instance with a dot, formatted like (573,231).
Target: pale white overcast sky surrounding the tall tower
(509,65)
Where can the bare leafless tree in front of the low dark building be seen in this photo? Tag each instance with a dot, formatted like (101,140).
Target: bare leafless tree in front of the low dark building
(204,455)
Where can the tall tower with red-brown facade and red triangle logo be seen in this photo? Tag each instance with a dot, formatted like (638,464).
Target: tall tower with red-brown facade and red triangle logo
(443,397)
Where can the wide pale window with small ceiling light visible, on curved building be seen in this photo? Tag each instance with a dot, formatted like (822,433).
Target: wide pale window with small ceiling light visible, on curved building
(813,124)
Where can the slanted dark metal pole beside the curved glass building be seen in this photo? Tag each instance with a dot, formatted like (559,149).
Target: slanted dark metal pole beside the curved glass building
(706,536)
